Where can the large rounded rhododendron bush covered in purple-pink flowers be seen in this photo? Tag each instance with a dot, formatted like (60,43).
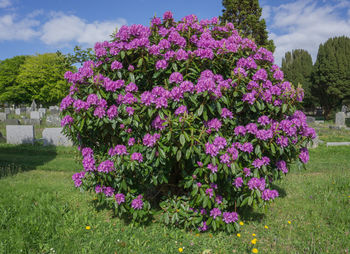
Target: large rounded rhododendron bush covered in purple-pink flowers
(186,120)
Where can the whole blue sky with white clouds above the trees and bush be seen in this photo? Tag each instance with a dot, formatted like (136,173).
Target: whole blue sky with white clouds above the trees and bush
(38,26)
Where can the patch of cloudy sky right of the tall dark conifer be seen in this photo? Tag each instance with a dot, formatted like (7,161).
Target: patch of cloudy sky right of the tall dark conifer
(305,25)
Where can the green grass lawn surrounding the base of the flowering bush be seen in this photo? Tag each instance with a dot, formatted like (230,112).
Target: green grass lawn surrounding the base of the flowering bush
(40,209)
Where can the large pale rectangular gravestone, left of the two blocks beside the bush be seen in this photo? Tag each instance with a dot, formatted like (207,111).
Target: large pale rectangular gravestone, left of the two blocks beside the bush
(20,134)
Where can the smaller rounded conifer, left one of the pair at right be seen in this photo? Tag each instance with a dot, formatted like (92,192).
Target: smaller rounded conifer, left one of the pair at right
(297,67)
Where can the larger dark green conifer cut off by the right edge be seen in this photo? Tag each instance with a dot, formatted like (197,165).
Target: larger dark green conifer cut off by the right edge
(331,76)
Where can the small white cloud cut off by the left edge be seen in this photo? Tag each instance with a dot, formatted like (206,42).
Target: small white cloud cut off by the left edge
(11,29)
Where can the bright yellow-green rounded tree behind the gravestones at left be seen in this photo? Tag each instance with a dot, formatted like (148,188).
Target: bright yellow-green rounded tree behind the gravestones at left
(42,77)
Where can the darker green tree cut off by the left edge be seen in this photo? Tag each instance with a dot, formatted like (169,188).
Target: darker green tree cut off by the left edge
(10,91)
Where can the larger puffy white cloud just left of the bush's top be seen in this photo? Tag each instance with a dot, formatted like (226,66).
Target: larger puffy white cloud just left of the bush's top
(65,29)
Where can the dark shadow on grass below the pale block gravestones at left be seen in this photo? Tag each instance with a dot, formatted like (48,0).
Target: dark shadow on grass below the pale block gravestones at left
(15,159)
